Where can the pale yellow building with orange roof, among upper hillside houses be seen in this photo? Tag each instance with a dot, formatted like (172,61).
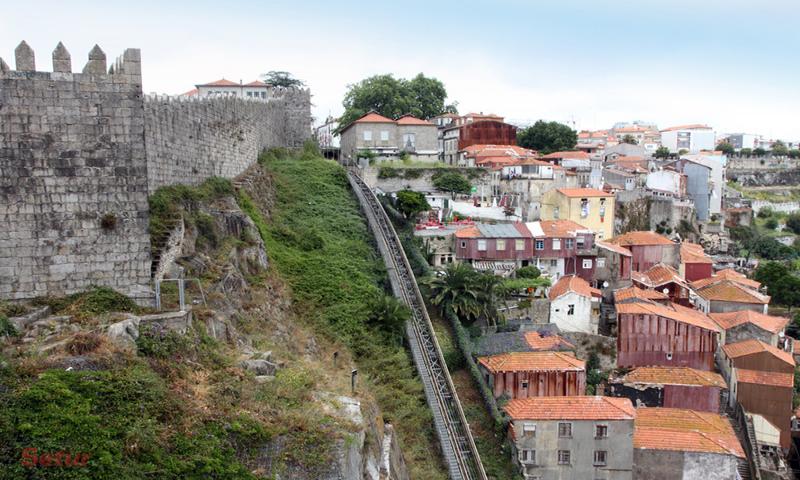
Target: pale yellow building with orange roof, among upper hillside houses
(592,208)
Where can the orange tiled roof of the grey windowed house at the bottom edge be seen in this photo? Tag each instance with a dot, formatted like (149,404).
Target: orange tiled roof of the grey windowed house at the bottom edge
(570,408)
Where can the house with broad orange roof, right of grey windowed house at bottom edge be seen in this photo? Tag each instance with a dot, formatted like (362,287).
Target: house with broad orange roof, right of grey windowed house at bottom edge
(680,444)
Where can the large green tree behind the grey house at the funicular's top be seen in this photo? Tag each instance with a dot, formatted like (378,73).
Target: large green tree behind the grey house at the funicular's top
(424,97)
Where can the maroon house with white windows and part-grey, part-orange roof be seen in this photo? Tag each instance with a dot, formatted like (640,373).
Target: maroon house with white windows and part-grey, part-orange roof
(501,248)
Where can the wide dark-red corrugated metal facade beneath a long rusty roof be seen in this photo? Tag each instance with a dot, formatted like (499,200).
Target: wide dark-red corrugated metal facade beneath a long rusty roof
(647,340)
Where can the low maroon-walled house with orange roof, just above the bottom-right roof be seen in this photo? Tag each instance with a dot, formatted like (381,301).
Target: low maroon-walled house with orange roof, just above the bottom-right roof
(672,387)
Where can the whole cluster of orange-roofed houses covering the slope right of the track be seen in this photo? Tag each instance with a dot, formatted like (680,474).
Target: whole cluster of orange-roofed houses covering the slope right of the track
(701,377)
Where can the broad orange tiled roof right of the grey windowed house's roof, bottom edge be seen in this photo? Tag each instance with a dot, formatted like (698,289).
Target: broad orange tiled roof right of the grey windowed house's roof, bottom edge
(682,430)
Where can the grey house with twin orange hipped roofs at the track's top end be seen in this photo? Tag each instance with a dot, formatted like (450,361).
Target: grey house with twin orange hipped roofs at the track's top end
(389,139)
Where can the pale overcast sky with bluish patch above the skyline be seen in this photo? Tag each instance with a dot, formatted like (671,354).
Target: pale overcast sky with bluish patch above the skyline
(728,63)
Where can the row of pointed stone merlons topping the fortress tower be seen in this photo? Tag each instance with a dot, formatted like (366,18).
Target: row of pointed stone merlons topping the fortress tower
(125,67)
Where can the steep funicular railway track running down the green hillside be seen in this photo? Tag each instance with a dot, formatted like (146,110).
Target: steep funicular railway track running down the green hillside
(458,446)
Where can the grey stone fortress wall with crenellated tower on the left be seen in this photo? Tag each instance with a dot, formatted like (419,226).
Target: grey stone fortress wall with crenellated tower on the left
(80,152)
